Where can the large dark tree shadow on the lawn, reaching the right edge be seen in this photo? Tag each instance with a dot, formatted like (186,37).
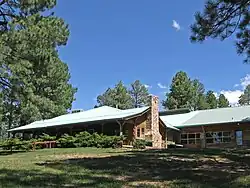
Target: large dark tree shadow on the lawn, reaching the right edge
(171,169)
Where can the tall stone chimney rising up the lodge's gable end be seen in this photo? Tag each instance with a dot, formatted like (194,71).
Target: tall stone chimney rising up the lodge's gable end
(152,127)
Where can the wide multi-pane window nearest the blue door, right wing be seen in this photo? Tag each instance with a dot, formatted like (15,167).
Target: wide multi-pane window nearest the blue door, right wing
(218,137)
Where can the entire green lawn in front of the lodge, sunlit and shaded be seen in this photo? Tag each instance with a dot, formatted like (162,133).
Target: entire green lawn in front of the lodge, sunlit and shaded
(101,168)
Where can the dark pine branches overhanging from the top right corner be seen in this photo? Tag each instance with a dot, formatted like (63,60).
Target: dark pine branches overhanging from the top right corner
(221,19)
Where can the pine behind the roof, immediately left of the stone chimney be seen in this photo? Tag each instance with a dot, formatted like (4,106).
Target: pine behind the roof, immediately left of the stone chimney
(140,94)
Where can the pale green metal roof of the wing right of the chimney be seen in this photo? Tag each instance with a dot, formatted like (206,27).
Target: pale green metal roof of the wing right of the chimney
(209,117)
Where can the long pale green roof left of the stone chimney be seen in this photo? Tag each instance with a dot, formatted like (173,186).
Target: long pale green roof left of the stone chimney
(104,113)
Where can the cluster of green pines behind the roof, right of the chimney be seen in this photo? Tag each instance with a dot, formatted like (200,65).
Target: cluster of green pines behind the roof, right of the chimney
(187,93)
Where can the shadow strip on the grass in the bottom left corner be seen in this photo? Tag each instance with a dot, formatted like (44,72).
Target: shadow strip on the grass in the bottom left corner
(32,178)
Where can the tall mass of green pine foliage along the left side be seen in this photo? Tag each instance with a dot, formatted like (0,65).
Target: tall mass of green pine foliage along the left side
(34,82)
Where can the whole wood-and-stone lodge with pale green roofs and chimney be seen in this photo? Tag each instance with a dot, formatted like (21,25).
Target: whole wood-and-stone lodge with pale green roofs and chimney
(214,128)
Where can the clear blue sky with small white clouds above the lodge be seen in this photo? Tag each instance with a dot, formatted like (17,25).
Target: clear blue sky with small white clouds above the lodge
(127,40)
